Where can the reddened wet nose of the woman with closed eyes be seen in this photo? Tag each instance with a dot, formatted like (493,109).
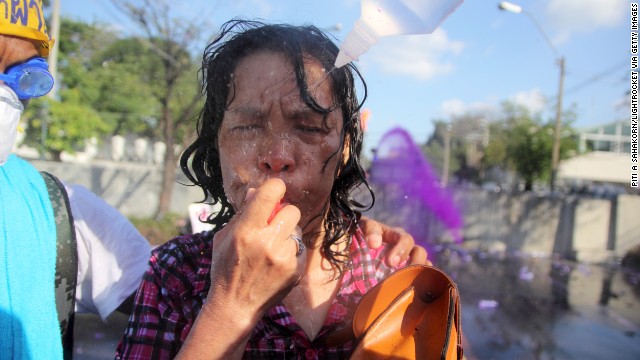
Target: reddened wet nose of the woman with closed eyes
(277,154)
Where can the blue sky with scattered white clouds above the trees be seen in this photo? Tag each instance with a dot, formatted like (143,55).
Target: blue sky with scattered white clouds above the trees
(480,56)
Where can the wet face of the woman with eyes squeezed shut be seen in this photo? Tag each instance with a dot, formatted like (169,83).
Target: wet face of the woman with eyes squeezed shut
(268,131)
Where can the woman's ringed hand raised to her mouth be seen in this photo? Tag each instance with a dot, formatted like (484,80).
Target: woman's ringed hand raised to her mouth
(254,262)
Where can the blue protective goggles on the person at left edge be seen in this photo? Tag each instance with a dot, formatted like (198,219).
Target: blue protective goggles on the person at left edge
(29,79)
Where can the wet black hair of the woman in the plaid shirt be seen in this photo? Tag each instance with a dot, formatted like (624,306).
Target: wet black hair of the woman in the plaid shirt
(240,38)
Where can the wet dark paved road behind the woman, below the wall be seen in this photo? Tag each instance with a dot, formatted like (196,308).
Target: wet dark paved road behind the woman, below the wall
(515,308)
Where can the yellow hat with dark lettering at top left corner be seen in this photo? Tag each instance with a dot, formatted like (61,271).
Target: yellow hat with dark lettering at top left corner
(25,19)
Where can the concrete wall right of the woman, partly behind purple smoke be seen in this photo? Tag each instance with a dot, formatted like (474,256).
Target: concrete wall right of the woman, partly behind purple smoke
(581,228)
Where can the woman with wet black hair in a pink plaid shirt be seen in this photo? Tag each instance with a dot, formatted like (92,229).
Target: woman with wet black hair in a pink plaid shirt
(278,148)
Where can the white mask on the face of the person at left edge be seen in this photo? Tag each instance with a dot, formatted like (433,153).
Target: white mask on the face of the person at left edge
(10,111)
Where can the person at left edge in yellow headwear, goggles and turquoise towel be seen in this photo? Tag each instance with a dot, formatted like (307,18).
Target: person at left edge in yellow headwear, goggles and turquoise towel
(52,266)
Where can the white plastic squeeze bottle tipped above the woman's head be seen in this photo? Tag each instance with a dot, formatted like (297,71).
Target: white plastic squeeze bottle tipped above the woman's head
(392,17)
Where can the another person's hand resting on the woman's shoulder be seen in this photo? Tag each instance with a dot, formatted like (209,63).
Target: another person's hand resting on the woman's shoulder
(401,243)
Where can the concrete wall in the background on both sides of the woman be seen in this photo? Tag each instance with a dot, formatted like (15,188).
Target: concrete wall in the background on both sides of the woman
(584,228)
